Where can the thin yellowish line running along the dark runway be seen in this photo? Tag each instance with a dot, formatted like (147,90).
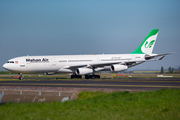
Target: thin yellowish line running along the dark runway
(29,84)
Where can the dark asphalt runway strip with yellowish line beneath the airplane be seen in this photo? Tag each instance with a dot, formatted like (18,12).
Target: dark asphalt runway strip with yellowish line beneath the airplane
(130,83)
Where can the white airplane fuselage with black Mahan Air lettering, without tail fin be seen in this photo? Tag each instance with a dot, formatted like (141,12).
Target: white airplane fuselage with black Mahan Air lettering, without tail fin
(61,63)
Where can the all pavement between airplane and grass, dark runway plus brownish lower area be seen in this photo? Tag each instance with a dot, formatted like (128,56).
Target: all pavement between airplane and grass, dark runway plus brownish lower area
(48,90)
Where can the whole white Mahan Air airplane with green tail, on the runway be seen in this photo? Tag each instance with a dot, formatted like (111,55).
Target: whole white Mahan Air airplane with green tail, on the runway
(86,65)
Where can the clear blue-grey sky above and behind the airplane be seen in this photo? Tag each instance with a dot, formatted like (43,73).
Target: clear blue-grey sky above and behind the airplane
(73,27)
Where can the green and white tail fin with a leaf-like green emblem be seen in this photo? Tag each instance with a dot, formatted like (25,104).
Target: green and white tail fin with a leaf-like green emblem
(147,45)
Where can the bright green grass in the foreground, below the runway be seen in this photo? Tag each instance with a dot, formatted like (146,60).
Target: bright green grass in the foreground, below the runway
(157,105)
